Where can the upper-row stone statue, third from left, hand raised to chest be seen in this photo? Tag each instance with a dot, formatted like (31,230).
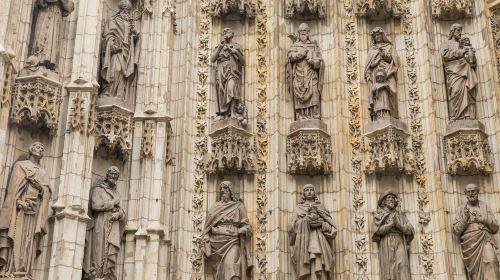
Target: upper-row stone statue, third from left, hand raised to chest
(229,60)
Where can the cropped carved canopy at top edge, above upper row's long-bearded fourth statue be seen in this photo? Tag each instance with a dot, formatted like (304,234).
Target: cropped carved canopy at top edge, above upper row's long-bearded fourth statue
(305,9)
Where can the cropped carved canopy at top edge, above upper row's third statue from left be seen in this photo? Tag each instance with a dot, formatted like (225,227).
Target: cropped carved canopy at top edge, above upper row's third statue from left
(222,8)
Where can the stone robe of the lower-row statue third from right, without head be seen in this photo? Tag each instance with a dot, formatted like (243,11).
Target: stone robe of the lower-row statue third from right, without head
(312,249)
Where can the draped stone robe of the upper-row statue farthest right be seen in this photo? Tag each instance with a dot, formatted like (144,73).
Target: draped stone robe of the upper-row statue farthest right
(461,82)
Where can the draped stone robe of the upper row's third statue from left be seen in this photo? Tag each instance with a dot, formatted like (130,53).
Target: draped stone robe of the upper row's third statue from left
(228,76)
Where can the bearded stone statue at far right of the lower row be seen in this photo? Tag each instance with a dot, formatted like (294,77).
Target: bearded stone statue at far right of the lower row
(475,224)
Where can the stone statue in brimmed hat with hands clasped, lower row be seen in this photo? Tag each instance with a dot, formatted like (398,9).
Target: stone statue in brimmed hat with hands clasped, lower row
(393,233)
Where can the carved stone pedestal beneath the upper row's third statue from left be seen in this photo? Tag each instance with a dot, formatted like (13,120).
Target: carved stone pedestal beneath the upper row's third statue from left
(232,148)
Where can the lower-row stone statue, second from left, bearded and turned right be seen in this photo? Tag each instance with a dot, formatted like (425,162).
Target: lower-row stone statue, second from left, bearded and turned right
(105,230)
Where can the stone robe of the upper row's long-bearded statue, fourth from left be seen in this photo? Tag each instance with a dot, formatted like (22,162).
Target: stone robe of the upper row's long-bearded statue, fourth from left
(304,81)
